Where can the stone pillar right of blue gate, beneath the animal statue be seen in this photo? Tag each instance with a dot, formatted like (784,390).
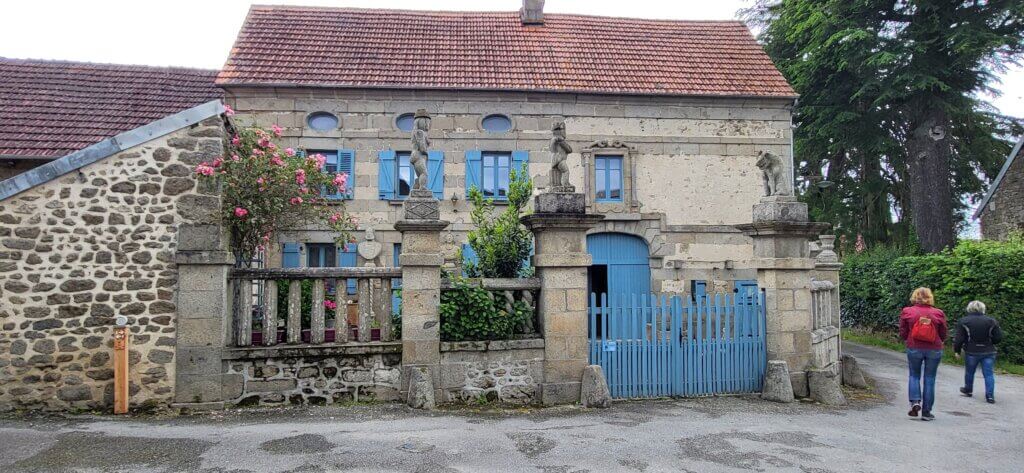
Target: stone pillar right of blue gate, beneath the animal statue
(781,232)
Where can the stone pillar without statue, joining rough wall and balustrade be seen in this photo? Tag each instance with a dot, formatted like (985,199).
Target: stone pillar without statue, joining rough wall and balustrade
(203,326)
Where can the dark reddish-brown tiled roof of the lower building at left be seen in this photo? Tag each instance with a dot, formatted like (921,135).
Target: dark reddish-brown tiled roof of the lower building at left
(52,109)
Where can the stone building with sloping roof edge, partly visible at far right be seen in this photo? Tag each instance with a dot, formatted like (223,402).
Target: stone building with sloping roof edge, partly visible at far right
(1002,210)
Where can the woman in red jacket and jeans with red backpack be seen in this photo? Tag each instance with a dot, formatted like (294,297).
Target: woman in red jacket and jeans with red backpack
(924,328)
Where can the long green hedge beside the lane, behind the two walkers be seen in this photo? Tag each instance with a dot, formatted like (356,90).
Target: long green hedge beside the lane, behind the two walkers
(877,285)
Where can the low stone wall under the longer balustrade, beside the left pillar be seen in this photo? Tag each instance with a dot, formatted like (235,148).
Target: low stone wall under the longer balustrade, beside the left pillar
(313,376)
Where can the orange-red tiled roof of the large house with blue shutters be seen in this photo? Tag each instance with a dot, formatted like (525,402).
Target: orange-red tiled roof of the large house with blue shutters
(347,48)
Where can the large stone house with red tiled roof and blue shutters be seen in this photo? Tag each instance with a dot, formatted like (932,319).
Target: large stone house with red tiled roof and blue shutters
(666,119)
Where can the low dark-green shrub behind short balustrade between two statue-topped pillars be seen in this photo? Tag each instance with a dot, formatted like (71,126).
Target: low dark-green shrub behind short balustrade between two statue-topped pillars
(471,313)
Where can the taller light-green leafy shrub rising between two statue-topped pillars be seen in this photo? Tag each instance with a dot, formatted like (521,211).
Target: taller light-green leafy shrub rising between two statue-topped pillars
(501,242)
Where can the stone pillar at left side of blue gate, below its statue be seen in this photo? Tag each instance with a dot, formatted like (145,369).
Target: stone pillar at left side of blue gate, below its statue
(560,225)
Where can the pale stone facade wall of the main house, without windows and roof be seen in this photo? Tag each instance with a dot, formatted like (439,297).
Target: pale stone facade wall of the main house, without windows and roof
(693,173)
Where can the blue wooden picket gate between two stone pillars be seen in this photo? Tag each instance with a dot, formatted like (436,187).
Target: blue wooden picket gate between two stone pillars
(660,346)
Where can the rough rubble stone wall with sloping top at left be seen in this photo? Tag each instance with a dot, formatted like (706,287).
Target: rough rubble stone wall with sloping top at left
(84,248)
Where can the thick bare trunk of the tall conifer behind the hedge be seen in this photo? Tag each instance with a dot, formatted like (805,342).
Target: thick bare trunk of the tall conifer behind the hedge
(931,189)
